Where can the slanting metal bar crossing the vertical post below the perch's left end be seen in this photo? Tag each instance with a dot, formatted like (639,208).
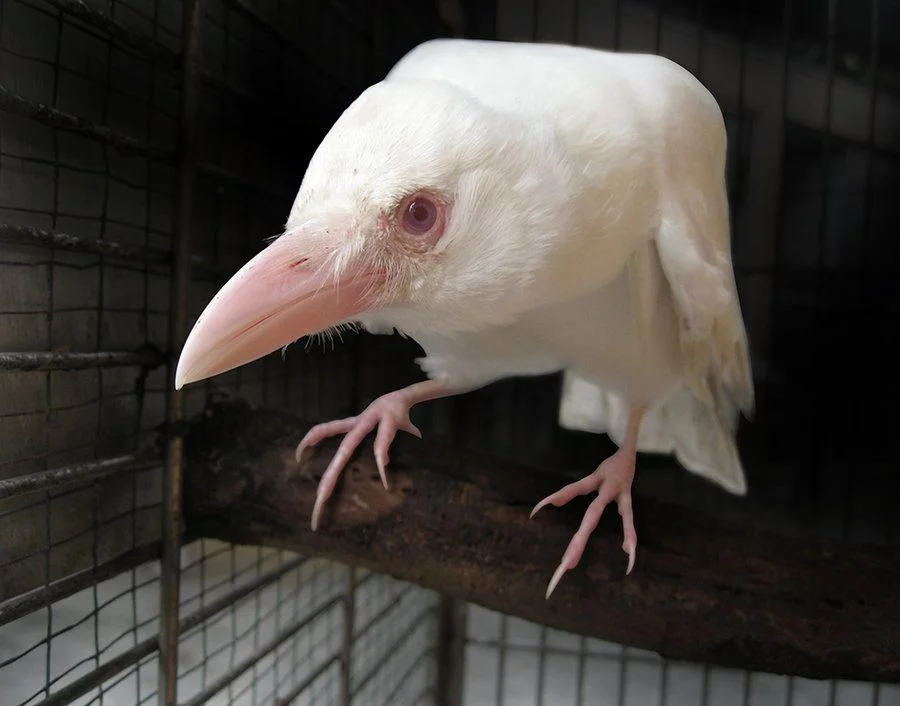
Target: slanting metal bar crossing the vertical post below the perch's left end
(82,686)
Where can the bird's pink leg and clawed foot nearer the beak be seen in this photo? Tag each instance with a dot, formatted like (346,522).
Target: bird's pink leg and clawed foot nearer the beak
(389,414)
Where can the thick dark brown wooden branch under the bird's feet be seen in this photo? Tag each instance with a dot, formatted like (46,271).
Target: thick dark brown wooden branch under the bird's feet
(458,523)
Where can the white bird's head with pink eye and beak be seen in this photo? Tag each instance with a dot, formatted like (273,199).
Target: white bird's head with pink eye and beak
(422,206)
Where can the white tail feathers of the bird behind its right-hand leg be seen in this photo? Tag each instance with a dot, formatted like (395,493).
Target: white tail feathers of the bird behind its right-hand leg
(700,437)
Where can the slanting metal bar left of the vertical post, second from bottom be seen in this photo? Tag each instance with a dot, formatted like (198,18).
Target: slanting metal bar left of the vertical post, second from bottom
(20,606)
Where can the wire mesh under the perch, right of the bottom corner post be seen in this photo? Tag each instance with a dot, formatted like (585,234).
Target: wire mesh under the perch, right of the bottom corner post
(511,662)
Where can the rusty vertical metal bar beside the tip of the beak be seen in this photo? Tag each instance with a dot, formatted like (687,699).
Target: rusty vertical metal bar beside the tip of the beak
(178,312)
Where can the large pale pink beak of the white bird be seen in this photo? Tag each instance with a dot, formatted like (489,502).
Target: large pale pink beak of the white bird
(273,300)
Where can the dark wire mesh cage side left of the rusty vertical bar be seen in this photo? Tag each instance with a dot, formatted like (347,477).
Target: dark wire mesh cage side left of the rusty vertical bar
(71,182)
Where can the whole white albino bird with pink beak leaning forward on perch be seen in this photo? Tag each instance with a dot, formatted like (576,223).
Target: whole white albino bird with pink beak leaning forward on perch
(518,209)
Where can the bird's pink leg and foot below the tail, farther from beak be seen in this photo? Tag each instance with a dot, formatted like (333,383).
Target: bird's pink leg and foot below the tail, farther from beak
(612,481)
